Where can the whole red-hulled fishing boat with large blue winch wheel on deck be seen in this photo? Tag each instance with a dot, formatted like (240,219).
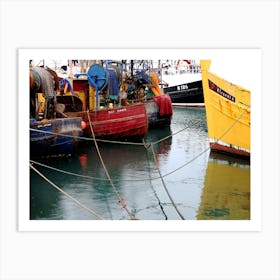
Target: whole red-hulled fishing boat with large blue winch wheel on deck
(93,96)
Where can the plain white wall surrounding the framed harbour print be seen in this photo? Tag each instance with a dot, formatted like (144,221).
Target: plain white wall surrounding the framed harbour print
(126,256)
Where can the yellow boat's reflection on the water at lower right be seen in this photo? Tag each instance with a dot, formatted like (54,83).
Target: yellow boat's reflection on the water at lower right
(226,192)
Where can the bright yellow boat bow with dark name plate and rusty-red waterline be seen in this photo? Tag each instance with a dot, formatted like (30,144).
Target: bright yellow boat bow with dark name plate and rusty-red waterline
(227,113)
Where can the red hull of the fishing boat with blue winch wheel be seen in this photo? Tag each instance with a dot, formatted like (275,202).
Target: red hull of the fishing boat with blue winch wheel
(118,123)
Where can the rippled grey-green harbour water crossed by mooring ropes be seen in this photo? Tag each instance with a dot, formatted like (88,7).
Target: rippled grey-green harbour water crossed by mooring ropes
(202,185)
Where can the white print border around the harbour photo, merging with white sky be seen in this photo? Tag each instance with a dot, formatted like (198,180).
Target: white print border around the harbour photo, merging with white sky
(228,67)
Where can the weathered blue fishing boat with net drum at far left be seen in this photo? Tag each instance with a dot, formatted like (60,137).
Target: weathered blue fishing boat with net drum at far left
(49,135)
